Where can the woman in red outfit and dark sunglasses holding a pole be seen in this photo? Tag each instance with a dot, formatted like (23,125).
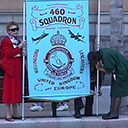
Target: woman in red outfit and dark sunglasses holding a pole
(11,59)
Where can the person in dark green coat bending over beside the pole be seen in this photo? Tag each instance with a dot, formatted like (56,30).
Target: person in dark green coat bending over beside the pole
(115,64)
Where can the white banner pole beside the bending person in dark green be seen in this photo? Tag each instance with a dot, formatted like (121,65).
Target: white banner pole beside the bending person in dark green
(98,47)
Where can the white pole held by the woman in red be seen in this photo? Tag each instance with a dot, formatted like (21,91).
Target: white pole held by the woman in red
(23,77)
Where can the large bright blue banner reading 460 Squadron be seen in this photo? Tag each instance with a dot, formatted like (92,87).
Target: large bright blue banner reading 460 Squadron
(57,45)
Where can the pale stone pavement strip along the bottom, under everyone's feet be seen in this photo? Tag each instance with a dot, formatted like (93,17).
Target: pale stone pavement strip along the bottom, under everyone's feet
(67,122)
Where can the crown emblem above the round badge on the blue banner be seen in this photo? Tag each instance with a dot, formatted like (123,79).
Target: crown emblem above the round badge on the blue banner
(58,39)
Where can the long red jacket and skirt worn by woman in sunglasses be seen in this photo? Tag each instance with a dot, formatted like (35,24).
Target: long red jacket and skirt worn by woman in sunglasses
(12,85)
